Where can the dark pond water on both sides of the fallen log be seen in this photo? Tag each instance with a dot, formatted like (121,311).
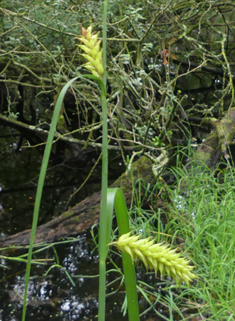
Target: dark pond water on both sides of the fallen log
(52,296)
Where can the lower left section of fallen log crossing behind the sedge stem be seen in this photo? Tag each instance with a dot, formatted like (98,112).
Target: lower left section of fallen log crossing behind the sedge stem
(85,214)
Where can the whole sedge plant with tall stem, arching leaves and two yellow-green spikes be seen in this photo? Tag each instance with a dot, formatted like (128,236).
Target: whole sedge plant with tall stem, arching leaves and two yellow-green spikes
(158,256)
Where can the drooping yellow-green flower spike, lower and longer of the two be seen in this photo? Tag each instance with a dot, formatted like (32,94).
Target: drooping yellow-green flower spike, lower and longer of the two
(158,257)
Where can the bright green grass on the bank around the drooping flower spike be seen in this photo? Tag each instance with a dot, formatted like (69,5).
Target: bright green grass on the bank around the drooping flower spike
(199,220)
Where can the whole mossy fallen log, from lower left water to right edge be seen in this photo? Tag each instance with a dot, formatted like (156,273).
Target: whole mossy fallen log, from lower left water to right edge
(85,214)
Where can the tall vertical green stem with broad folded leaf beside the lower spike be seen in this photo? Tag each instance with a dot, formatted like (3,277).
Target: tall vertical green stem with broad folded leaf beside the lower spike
(107,214)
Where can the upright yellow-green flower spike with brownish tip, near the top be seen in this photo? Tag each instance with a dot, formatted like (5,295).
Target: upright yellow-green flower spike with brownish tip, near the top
(93,53)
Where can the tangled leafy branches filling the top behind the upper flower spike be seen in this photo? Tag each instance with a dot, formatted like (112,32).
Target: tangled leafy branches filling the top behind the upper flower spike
(39,51)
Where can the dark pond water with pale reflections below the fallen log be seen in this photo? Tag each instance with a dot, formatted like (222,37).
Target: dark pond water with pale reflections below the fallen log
(51,295)
